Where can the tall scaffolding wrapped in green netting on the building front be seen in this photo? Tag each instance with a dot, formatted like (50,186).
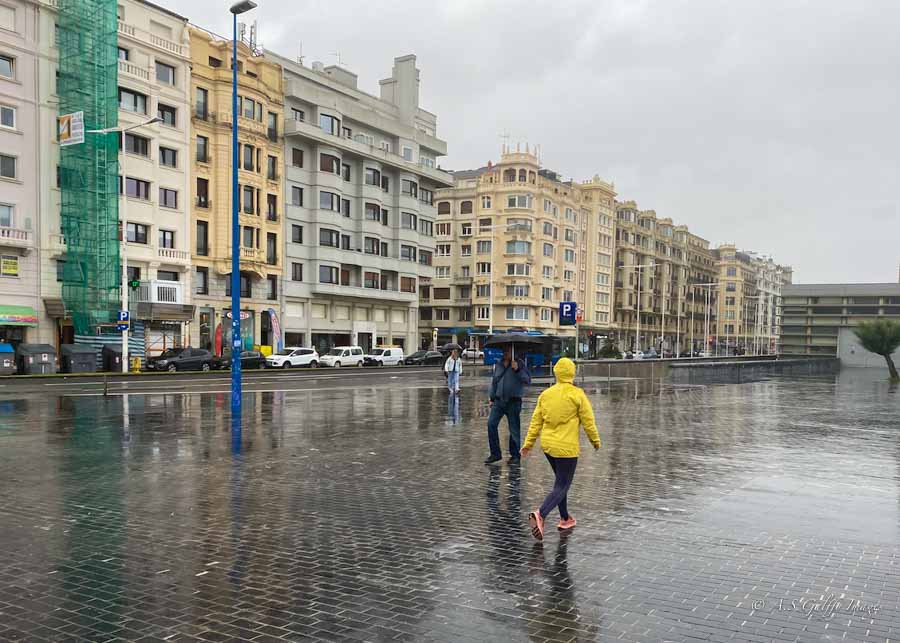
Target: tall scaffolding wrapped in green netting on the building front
(89,183)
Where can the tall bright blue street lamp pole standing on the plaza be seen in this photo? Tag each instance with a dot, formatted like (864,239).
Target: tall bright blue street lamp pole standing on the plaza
(236,9)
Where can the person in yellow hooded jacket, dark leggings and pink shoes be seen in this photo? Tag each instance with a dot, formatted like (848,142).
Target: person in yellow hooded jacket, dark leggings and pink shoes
(560,411)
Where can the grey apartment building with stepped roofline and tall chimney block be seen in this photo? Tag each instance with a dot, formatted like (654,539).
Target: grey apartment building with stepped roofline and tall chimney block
(360,180)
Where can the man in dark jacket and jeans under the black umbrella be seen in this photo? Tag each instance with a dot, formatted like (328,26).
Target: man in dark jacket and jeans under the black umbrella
(508,382)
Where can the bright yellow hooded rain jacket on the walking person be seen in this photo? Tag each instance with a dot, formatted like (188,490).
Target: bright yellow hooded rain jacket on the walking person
(560,410)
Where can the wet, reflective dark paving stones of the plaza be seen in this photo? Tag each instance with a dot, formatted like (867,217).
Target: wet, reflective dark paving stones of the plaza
(753,512)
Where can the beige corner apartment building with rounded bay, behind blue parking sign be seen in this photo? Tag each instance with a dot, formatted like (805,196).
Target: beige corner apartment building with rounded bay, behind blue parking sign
(512,242)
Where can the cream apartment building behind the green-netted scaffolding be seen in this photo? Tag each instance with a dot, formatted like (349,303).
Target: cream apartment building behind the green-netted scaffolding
(153,72)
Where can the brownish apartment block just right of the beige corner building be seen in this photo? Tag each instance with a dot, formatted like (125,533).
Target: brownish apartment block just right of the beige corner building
(663,292)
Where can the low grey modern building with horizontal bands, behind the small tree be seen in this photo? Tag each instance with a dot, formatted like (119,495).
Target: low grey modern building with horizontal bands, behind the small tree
(818,319)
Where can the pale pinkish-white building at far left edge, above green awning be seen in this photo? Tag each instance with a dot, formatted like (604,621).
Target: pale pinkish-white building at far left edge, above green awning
(19,184)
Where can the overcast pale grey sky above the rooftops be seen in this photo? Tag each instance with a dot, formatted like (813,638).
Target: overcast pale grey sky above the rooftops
(771,124)
